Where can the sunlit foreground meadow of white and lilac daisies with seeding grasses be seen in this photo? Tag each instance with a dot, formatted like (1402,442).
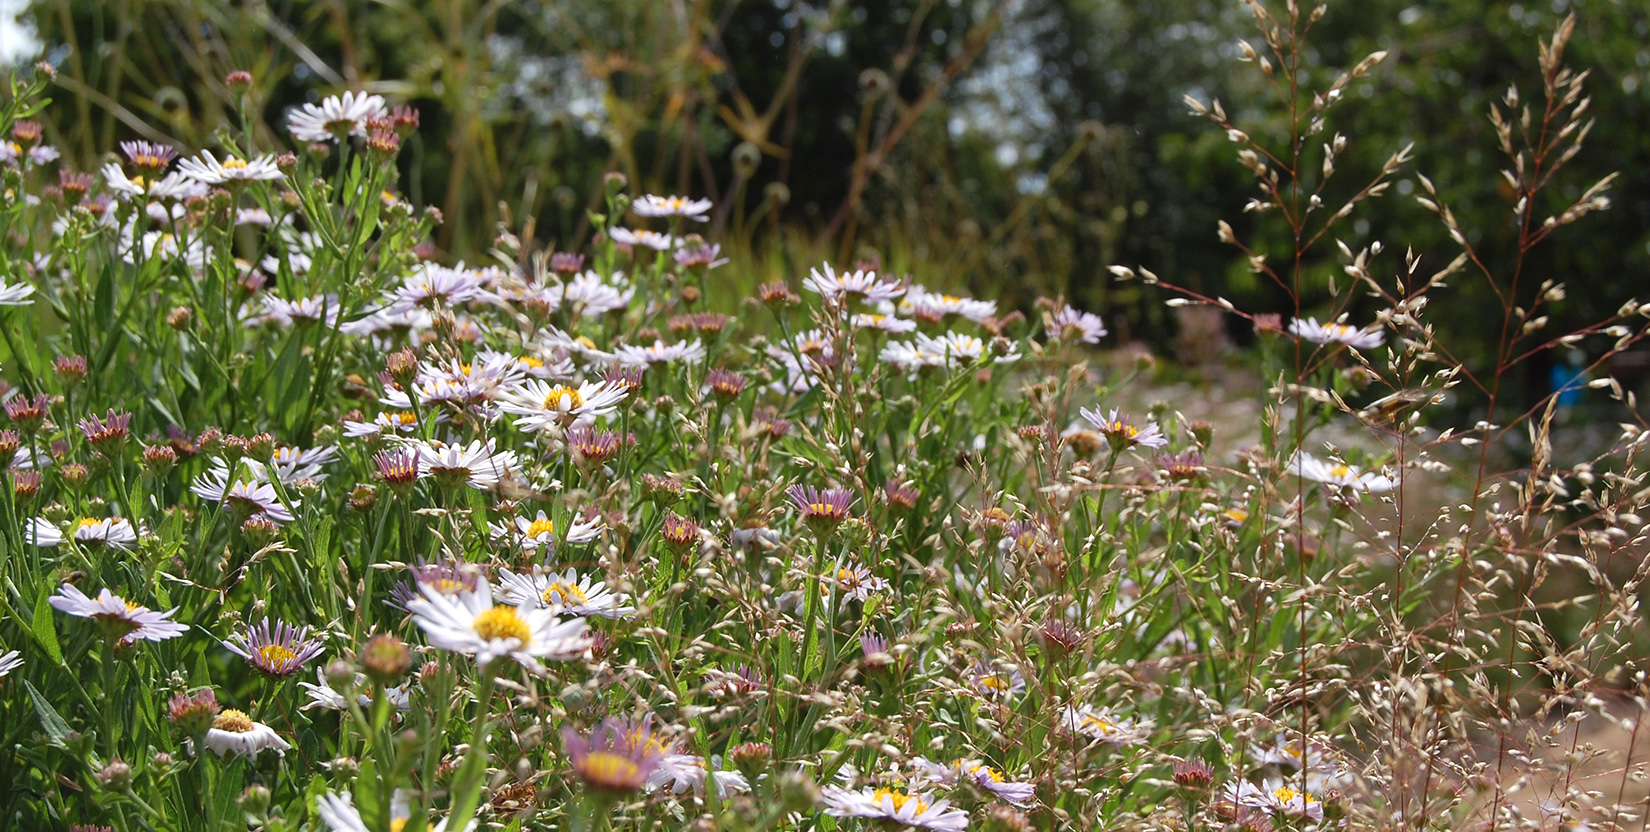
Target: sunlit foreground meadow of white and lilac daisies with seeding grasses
(308,527)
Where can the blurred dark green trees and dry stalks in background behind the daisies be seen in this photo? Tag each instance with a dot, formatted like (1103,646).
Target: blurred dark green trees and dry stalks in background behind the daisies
(1016,148)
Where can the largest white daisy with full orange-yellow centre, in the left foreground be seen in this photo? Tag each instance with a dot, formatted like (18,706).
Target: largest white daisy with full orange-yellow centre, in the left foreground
(469,623)
